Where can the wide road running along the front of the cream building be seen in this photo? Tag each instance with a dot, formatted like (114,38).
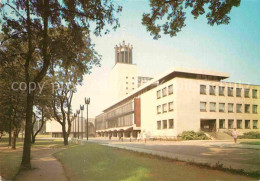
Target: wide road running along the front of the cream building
(213,152)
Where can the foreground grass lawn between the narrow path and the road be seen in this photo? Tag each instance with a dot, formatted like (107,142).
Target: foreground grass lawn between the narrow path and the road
(94,162)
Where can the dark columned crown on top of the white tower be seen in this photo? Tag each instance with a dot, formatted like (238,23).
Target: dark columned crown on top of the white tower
(123,53)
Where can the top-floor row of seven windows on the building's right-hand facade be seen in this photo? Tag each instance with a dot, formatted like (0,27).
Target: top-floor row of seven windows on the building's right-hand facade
(221,91)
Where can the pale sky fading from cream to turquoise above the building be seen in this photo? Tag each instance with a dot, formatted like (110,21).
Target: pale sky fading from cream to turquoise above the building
(233,48)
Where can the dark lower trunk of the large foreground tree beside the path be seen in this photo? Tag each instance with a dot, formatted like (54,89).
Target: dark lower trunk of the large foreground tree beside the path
(26,162)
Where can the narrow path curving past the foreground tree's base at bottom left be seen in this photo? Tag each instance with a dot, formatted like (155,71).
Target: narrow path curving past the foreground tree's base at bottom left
(45,167)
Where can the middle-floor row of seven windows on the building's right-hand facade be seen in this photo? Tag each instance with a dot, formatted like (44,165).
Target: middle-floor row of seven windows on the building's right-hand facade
(221,108)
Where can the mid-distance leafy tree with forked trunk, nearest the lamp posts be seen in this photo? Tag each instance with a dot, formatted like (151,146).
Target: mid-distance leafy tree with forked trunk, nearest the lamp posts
(78,60)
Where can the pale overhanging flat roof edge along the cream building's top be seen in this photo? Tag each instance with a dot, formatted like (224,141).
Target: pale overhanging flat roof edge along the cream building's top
(176,70)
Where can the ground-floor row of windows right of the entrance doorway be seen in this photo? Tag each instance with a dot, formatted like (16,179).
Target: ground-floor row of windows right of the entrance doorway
(239,124)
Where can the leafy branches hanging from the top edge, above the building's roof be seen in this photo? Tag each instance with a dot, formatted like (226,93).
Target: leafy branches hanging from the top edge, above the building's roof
(168,16)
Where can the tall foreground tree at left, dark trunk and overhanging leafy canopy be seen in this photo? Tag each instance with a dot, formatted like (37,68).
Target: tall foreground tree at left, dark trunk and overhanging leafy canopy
(32,23)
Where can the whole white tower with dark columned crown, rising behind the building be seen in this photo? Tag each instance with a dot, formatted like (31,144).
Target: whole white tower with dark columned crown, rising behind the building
(124,74)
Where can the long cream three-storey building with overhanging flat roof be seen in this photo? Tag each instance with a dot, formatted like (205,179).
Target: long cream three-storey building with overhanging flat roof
(182,100)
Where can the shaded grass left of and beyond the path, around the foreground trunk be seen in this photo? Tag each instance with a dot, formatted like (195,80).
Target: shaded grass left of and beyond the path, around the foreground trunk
(10,160)
